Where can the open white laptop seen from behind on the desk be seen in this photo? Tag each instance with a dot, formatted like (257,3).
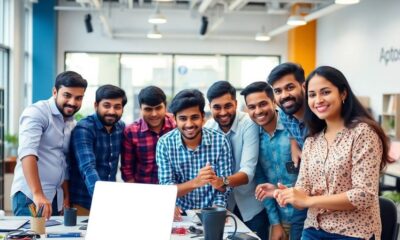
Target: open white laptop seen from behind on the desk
(131,211)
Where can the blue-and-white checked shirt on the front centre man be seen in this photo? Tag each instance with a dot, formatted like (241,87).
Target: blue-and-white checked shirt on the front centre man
(178,164)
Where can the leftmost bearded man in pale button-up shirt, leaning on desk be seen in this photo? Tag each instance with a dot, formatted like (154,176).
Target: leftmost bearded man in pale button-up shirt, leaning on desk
(44,133)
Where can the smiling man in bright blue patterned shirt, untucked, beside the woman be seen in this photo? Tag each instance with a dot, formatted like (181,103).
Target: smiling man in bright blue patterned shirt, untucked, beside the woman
(274,164)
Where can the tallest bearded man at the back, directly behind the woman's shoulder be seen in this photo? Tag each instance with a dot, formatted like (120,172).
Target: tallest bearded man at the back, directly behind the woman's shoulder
(287,80)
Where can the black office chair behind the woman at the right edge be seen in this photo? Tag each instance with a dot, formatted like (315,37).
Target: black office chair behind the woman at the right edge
(390,227)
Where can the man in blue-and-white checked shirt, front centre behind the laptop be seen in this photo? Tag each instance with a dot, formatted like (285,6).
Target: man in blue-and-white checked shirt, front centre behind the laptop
(192,157)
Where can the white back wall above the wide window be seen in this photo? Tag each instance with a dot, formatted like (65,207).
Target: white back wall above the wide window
(72,35)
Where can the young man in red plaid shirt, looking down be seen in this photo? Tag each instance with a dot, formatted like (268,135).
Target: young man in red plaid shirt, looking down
(138,163)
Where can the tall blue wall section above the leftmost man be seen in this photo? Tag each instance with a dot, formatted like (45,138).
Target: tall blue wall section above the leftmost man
(44,49)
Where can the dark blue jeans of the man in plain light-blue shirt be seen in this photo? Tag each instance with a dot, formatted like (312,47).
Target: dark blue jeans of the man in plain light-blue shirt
(259,223)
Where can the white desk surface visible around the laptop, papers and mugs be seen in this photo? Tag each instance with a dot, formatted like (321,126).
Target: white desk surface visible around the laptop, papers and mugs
(187,221)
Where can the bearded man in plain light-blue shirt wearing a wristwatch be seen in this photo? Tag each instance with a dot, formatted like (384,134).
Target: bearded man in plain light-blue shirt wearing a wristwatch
(242,134)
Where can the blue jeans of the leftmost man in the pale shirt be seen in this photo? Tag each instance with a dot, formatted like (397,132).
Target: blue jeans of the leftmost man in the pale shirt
(20,203)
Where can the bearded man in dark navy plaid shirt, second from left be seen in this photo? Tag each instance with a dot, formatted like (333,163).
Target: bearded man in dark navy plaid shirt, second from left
(95,146)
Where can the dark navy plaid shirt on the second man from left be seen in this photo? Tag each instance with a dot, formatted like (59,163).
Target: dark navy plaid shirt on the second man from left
(95,154)
